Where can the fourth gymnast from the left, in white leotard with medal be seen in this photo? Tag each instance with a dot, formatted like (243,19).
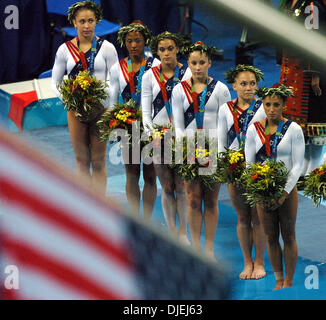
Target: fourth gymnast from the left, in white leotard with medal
(195,105)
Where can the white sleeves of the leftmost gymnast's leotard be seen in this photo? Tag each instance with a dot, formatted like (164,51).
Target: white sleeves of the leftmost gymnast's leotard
(65,62)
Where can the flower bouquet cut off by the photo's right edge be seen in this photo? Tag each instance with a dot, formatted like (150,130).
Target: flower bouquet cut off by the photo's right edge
(315,185)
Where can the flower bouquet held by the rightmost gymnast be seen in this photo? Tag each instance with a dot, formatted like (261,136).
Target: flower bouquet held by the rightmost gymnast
(264,182)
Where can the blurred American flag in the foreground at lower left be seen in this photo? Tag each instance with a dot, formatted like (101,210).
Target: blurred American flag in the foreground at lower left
(60,240)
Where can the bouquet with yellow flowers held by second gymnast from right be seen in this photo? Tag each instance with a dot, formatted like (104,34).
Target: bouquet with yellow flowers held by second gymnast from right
(230,166)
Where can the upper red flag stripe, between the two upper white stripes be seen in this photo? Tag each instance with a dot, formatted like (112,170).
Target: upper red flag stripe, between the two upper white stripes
(56,216)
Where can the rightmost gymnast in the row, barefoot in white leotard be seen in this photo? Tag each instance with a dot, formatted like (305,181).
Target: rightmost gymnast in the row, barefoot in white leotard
(276,137)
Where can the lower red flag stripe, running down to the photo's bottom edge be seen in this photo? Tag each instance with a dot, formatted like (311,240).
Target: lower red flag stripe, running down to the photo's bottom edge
(28,256)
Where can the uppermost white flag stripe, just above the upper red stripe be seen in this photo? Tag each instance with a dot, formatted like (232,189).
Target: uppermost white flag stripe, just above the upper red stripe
(62,195)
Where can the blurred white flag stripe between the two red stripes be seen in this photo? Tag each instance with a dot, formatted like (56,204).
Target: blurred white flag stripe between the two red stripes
(68,250)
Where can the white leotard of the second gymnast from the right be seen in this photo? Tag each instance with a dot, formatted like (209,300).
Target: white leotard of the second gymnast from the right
(226,137)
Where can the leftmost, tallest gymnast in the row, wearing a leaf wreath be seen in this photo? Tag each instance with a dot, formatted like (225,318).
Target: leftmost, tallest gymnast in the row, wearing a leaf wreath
(86,52)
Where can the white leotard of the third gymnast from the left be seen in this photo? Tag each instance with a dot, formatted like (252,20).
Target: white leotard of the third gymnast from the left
(153,108)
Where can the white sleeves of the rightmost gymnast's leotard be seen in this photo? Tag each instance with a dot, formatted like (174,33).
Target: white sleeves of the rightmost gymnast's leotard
(290,150)
